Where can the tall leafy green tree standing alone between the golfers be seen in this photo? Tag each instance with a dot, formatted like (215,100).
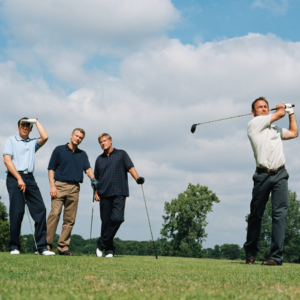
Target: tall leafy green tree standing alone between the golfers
(185,221)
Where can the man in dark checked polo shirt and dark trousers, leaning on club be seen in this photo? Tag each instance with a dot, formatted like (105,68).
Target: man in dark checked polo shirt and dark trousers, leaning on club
(111,169)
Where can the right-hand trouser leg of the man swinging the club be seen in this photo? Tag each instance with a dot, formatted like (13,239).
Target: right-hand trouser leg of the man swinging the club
(279,212)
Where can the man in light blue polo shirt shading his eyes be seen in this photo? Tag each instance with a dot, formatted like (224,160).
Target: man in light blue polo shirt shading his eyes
(19,158)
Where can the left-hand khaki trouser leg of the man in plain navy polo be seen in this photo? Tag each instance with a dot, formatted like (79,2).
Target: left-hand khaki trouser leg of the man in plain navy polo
(54,215)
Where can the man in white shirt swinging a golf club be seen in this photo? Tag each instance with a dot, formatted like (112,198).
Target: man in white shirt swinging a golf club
(270,176)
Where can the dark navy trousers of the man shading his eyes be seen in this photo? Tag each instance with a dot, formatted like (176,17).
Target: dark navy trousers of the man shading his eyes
(36,208)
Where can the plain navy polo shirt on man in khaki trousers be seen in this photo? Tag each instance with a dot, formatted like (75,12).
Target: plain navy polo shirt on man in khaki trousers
(68,166)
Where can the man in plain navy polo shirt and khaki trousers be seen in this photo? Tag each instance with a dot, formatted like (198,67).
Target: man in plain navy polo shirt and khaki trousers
(65,171)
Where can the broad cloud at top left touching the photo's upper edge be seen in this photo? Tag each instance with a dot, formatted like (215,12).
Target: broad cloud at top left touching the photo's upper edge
(92,22)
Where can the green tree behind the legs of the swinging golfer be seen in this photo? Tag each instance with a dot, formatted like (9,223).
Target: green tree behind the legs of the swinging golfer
(291,249)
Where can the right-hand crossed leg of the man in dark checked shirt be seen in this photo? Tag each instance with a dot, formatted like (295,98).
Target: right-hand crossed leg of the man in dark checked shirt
(116,219)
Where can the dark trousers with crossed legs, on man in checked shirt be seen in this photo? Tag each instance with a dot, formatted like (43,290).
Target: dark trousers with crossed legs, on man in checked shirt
(112,216)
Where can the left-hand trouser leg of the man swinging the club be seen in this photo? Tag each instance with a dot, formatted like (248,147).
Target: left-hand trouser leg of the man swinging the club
(260,196)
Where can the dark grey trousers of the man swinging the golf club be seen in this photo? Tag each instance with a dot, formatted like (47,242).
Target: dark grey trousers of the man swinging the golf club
(263,185)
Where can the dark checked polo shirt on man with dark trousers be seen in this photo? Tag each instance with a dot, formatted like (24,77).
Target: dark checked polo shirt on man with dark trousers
(111,173)
